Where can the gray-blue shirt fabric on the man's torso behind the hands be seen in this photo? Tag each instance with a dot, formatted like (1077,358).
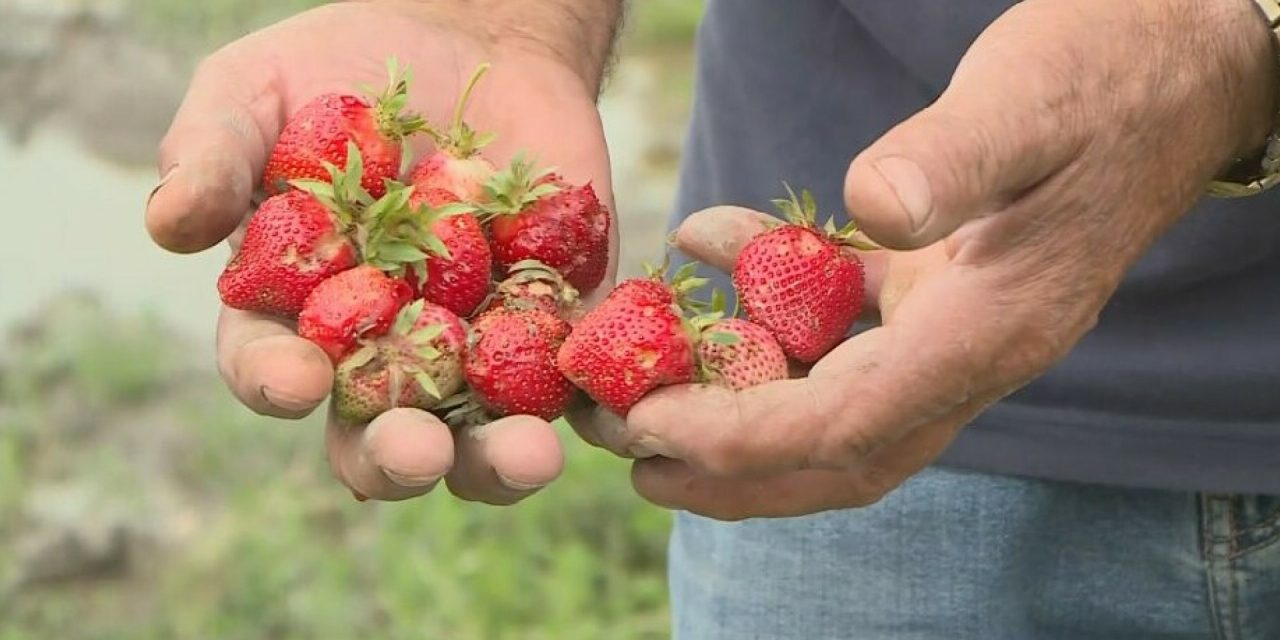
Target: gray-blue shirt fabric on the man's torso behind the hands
(1180,385)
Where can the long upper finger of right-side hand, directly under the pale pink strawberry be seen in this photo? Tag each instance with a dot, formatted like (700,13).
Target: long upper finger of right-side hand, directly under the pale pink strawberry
(940,351)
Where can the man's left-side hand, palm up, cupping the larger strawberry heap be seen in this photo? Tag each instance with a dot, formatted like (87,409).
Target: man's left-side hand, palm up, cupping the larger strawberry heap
(540,98)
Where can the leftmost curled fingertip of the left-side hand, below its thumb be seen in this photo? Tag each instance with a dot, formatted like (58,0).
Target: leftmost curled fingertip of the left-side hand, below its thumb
(269,368)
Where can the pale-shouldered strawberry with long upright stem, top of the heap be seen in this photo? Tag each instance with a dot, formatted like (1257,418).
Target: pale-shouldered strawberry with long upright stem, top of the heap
(456,172)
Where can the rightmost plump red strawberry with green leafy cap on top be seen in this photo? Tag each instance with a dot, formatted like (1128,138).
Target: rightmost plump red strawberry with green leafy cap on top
(802,284)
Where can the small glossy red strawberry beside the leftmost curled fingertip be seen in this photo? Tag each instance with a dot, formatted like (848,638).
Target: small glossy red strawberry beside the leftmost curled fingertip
(351,307)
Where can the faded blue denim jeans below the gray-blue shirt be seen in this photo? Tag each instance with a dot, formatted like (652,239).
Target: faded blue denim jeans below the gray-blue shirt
(964,556)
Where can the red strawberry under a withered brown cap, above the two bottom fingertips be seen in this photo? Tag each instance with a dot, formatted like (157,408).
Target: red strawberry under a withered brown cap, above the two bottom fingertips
(511,364)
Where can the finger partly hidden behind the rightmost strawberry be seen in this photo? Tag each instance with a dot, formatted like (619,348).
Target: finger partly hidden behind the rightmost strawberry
(716,236)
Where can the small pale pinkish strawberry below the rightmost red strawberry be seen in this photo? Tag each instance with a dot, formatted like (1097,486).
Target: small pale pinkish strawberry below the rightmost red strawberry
(739,354)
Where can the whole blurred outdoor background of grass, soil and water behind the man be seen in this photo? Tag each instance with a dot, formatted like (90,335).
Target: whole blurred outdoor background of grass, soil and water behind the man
(139,501)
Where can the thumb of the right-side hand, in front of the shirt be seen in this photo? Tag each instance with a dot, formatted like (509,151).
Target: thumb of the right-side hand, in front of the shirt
(1002,127)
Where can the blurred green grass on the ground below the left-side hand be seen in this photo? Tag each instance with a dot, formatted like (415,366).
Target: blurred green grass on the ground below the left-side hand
(275,548)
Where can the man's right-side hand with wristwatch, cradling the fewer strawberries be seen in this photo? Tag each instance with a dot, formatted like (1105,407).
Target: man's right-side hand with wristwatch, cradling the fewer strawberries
(1072,136)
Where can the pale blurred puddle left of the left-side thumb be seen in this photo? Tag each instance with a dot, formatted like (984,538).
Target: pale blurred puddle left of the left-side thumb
(76,222)
